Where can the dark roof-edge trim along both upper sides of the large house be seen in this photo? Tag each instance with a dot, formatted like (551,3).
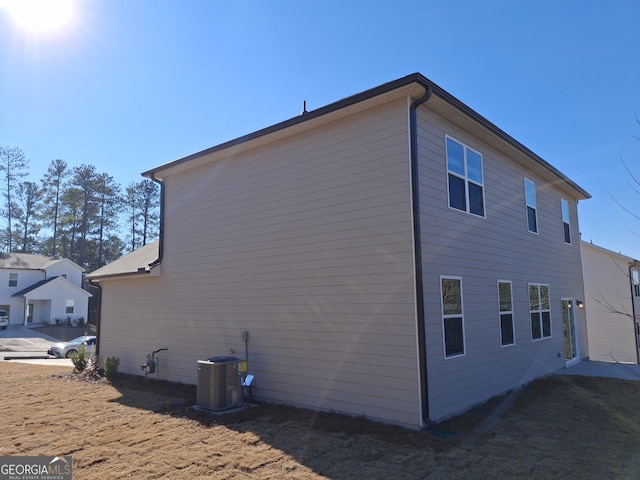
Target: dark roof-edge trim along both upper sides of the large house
(416,78)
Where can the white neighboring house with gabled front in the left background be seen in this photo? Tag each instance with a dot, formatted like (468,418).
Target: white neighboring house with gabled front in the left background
(37,289)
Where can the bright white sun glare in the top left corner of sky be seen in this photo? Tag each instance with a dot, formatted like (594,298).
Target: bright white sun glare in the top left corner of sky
(38,16)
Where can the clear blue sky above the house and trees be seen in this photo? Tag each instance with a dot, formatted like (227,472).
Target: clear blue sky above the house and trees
(132,84)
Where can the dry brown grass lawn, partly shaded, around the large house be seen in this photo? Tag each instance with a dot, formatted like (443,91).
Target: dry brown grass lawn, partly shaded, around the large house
(559,427)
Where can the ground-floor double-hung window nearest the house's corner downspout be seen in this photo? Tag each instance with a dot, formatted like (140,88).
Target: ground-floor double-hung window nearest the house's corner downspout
(452,318)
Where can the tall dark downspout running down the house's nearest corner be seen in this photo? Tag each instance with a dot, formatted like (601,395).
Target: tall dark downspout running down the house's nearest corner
(417,248)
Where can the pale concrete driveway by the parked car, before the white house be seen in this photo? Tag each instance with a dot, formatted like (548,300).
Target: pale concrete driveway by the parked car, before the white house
(28,345)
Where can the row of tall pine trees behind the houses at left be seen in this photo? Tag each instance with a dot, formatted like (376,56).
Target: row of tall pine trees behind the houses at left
(74,212)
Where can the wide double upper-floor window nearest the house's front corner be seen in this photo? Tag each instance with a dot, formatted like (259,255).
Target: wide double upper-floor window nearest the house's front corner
(465,179)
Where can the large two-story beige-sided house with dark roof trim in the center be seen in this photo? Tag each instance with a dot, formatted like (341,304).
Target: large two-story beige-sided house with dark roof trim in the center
(393,255)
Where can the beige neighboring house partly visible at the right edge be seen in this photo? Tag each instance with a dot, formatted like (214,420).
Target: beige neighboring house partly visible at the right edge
(612,296)
